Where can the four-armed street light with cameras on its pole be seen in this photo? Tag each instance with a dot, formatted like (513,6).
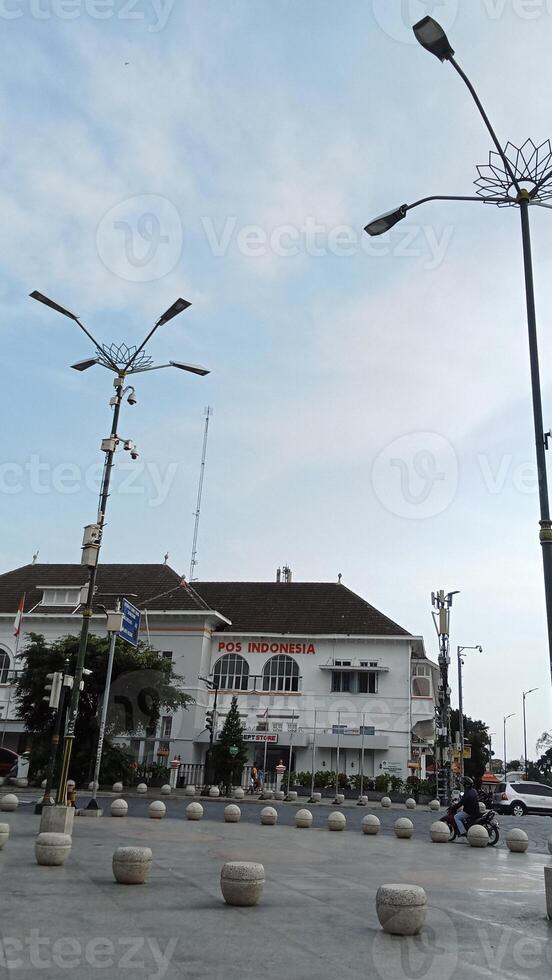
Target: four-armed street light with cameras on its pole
(122,361)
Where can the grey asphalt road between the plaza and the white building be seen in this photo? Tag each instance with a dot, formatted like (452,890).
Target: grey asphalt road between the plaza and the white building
(537,828)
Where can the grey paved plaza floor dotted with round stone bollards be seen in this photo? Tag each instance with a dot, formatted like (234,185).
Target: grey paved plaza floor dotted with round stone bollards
(316,919)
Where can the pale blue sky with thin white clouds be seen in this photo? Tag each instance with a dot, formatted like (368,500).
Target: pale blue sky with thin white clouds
(371,397)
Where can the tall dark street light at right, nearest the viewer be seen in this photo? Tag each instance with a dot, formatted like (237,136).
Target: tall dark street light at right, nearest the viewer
(517,177)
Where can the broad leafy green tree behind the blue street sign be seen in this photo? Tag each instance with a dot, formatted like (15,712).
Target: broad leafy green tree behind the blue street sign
(143,683)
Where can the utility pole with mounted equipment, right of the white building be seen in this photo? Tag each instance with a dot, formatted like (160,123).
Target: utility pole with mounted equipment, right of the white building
(442,603)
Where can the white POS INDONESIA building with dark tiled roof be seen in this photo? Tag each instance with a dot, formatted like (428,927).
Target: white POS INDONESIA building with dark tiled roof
(316,669)
